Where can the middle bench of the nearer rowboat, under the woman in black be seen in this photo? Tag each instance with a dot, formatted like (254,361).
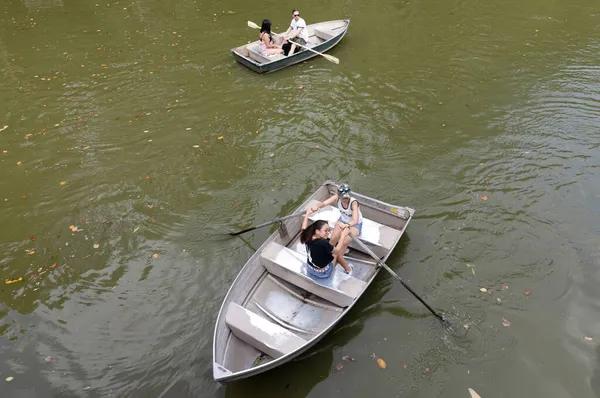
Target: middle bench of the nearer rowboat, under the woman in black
(340,289)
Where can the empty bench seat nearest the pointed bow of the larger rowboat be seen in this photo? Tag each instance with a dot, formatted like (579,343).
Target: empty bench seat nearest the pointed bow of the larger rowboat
(260,333)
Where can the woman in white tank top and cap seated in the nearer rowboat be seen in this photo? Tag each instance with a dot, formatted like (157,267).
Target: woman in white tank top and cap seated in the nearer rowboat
(350,219)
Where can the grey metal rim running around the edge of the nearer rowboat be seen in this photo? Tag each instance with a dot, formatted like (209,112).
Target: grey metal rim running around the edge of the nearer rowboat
(233,376)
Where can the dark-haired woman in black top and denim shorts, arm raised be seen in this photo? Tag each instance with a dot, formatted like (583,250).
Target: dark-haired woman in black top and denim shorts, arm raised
(321,255)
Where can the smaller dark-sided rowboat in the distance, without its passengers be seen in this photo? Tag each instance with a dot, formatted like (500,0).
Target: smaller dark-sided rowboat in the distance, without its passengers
(322,37)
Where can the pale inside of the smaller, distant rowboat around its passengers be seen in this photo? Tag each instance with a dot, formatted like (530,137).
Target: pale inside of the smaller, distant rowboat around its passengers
(317,34)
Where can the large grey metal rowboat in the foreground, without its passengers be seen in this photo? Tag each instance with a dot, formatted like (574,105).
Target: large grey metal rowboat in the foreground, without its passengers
(274,311)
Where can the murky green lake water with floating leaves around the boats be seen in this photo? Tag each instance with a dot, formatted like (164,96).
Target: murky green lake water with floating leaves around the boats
(134,139)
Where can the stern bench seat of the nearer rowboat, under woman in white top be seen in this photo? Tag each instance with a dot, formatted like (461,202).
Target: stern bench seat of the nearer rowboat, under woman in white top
(378,237)
